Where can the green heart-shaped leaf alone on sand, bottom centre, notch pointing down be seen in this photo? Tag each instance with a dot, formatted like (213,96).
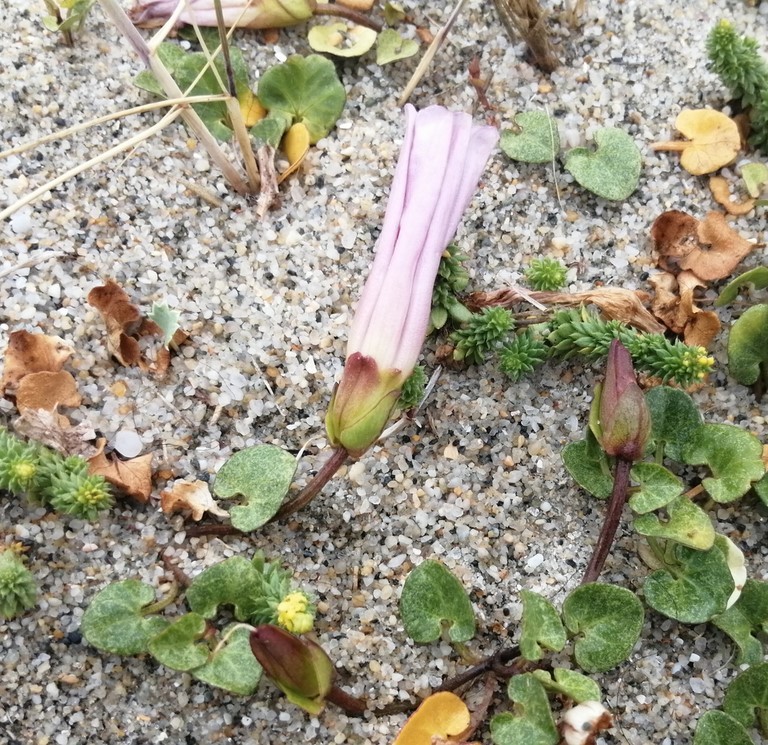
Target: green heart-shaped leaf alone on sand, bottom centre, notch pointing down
(431,597)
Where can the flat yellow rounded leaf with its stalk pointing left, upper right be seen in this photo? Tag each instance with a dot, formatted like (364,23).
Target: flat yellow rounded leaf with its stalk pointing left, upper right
(714,140)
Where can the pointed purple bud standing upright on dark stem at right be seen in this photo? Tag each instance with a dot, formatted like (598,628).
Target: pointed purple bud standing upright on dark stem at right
(624,420)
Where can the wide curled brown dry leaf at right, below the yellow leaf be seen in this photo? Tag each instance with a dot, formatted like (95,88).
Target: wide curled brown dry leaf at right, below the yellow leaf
(710,248)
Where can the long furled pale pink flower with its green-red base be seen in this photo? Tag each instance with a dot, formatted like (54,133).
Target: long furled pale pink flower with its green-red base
(441,160)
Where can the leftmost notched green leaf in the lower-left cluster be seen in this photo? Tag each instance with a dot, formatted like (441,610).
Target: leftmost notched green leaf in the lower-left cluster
(114,620)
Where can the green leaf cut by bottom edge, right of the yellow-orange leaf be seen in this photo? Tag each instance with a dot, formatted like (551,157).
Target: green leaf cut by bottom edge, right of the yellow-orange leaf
(532,723)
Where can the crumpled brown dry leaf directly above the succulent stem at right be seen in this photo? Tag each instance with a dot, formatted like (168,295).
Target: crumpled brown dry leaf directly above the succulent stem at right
(674,305)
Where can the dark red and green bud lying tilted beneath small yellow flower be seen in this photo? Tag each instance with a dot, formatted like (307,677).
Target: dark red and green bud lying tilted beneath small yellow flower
(298,667)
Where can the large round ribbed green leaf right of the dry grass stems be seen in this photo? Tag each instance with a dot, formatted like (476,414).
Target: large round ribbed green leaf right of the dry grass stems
(308,90)
